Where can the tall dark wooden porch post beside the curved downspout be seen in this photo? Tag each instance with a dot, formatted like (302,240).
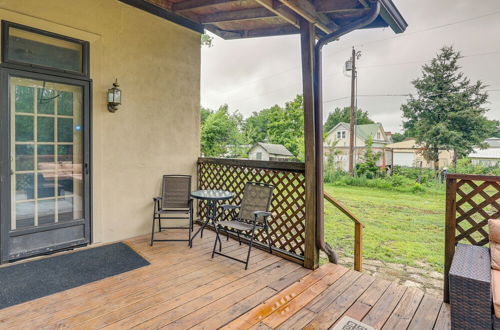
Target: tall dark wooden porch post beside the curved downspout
(311,258)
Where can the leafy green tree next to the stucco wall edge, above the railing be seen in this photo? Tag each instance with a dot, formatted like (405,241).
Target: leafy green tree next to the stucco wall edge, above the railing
(219,131)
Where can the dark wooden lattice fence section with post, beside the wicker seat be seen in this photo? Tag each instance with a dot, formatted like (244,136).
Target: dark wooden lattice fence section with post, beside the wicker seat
(470,201)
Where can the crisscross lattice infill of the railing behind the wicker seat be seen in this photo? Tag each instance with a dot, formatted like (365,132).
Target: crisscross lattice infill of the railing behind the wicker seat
(476,202)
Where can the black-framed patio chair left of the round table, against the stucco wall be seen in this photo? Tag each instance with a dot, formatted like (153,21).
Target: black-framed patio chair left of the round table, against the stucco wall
(174,202)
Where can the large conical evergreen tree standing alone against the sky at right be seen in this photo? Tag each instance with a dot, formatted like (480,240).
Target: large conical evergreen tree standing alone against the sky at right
(447,111)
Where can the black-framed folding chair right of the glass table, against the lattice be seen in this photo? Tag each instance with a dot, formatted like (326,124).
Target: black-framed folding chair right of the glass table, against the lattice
(253,215)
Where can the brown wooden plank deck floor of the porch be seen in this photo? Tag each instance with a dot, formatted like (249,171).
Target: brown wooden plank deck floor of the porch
(185,288)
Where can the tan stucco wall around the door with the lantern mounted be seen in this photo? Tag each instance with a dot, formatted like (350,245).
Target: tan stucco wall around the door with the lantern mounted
(156,130)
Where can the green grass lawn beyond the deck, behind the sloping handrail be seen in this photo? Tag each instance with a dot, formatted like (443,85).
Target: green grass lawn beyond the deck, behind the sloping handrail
(403,228)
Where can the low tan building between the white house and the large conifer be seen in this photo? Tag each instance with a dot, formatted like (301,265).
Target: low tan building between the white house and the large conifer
(409,154)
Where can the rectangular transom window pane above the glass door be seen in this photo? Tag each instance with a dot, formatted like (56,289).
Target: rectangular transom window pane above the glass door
(34,48)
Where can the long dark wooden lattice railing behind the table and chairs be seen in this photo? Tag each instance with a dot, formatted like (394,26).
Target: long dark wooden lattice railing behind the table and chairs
(288,205)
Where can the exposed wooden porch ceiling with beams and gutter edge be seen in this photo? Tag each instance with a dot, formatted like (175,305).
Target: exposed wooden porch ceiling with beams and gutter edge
(236,19)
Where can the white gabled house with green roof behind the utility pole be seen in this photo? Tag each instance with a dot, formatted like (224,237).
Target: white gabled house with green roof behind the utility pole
(338,137)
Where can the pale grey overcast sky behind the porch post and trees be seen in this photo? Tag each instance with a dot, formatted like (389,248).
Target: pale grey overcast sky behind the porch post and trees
(253,74)
